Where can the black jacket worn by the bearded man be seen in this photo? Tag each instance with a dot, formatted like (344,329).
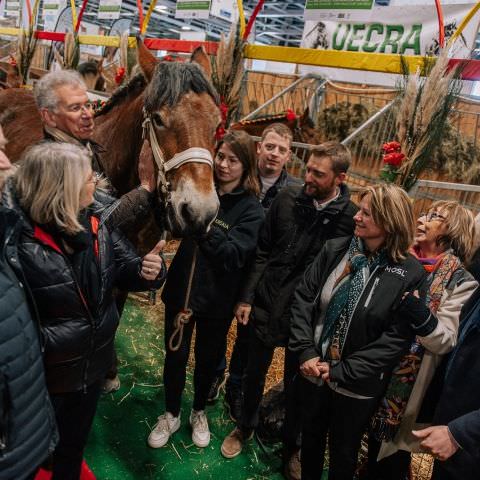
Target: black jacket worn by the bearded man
(293,234)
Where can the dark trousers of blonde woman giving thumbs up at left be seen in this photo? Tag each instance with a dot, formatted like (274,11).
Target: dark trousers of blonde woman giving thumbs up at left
(74,413)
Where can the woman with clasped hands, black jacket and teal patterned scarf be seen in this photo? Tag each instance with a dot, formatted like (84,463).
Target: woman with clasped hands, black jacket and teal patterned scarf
(348,327)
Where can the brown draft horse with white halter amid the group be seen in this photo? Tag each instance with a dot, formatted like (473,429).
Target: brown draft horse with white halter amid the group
(182,107)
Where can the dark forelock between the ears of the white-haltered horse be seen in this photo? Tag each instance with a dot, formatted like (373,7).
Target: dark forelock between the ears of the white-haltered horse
(171,80)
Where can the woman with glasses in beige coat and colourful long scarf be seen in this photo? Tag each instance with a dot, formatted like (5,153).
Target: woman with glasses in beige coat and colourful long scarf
(443,242)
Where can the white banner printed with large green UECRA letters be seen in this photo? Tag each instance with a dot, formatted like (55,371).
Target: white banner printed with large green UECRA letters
(405,27)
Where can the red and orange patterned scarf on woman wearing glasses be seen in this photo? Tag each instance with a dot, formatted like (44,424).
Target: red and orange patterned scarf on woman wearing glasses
(386,421)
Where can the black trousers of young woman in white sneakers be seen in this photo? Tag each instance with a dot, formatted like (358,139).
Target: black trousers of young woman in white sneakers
(209,341)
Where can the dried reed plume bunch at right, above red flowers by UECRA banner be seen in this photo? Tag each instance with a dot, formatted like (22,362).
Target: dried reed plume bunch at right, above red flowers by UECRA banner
(426,101)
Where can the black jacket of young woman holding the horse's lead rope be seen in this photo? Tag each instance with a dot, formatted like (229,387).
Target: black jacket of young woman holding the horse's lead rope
(223,256)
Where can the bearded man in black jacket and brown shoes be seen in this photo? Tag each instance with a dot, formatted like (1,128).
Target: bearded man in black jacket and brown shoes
(297,225)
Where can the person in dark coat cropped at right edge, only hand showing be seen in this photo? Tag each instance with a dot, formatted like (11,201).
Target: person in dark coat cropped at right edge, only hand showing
(454,439)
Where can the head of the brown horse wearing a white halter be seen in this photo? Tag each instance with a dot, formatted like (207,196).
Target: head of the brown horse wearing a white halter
(181,115)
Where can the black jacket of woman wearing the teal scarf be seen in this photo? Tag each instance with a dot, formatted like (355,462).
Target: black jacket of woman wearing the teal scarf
(378,334)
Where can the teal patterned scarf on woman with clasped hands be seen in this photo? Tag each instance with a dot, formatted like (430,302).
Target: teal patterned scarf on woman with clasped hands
(346,292)
